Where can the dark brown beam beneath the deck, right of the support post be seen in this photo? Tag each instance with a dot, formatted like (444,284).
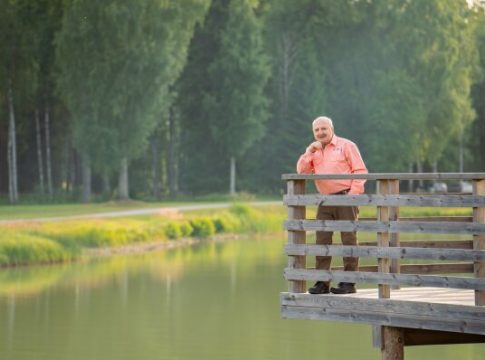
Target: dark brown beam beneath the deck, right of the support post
(432,337)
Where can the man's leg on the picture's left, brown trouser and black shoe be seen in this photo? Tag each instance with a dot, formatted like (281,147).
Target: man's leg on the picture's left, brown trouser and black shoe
(323,238)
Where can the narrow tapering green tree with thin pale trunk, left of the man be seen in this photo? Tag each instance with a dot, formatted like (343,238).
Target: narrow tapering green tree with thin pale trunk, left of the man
(236,106)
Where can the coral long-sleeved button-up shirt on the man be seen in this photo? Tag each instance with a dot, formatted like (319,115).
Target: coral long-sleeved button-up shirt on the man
(340,156)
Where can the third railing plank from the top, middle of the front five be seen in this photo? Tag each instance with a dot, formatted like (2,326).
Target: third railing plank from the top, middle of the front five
(391,226)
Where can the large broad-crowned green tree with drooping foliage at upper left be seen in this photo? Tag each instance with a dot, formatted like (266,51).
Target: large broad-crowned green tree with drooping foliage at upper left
(117,62)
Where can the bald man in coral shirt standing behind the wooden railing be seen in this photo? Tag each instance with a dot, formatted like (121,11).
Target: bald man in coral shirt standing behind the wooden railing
(330,154)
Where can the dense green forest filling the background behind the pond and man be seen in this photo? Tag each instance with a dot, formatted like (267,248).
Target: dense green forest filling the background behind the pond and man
(162,99)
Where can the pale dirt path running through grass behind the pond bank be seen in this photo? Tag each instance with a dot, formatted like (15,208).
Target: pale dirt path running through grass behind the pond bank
(136,212)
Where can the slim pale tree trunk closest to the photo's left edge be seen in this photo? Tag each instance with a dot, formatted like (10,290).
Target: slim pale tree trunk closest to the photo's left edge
(12,150)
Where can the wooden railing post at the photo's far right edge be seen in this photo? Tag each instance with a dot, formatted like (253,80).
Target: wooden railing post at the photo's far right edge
(479,240)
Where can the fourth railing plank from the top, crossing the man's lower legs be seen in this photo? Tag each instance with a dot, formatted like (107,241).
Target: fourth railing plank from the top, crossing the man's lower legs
(385,252)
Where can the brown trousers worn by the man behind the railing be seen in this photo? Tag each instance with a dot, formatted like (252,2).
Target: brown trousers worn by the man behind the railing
(348,238)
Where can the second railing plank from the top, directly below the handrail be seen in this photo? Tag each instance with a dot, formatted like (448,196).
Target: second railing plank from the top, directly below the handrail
(386,200)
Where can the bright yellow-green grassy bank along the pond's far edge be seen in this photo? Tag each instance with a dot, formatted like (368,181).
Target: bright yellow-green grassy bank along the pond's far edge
(35,242)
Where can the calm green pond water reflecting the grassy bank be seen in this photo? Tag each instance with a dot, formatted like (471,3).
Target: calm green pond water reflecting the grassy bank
(215,300)
